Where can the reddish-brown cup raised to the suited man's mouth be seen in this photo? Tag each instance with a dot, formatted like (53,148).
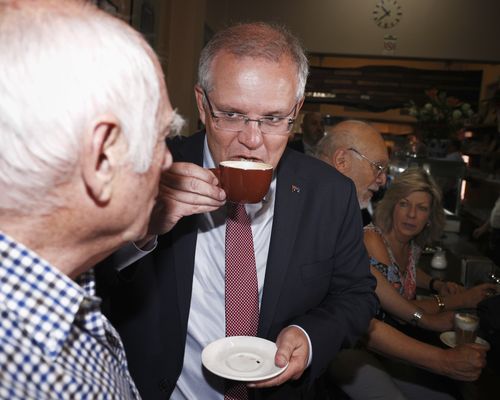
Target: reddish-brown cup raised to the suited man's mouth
(244,181)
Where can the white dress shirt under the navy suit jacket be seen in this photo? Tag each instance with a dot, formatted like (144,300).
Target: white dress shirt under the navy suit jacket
(207,312)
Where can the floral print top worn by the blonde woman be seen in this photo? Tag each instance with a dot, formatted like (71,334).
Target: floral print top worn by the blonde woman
(405,283)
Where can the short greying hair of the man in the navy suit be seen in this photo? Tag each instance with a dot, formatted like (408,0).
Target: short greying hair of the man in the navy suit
(256,40)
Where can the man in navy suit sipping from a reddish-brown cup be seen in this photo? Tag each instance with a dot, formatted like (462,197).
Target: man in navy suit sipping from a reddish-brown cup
(316,293)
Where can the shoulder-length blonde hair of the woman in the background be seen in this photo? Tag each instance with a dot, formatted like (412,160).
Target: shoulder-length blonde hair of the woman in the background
(412,180)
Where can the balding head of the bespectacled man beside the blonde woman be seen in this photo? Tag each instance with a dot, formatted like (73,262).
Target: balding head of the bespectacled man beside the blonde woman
(355,149)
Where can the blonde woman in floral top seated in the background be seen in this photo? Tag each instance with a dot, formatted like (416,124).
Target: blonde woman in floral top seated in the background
(409,216)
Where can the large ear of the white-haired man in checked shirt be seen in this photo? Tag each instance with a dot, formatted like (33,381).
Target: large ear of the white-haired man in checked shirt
(103,152)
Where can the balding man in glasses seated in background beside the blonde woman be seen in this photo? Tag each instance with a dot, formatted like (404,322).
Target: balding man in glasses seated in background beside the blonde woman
(357,372)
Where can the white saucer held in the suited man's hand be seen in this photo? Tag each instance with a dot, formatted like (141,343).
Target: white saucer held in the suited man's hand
(242,358)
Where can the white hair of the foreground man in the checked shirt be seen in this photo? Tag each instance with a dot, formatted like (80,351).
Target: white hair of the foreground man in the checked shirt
(63,64)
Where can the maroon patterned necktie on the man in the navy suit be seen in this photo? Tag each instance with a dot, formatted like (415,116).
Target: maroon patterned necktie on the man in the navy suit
(242,293)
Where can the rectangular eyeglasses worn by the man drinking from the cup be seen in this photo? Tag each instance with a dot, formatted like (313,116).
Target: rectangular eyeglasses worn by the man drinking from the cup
(236,122)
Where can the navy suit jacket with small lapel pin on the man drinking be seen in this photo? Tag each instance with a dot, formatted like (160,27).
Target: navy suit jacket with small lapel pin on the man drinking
(317,277)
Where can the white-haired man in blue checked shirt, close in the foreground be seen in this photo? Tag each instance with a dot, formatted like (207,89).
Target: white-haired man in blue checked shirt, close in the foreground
(84,114)
